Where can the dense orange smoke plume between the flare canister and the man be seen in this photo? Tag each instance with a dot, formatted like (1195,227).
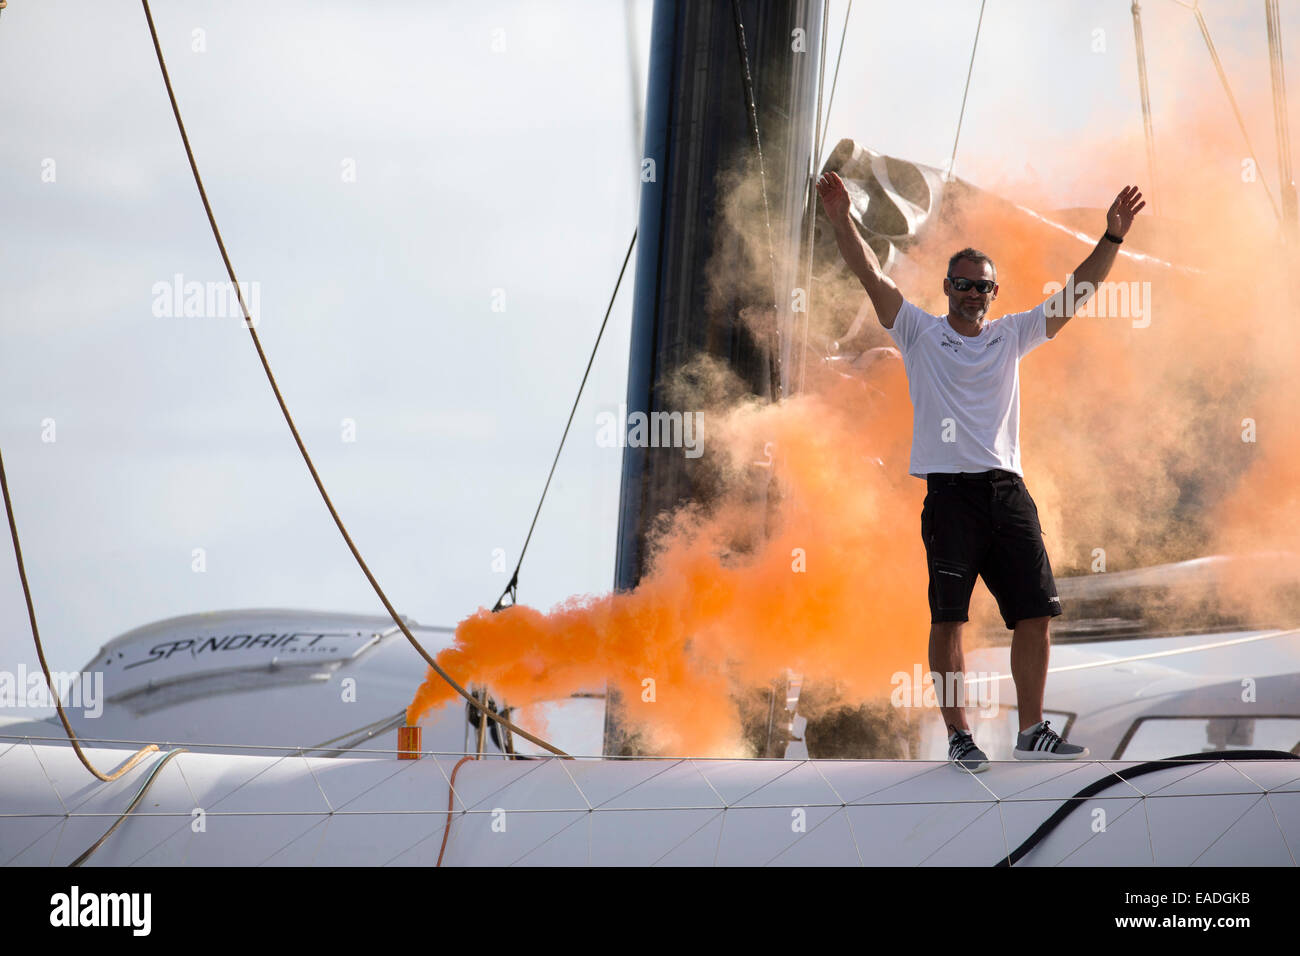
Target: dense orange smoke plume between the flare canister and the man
(830,592)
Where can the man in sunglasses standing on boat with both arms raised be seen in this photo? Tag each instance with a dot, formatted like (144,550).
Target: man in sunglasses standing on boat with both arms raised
(980,518)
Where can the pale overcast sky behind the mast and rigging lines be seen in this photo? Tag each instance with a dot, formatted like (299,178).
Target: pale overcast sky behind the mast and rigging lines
(493,150)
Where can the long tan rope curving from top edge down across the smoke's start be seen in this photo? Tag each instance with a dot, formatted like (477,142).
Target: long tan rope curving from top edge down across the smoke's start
(289,419)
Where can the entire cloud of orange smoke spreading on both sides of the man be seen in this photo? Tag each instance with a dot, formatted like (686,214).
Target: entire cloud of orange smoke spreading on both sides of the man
(1136,435)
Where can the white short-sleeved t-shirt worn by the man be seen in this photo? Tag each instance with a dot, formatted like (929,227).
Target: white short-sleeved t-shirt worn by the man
(967,391)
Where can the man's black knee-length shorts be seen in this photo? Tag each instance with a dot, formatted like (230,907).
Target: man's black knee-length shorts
(986,525)
